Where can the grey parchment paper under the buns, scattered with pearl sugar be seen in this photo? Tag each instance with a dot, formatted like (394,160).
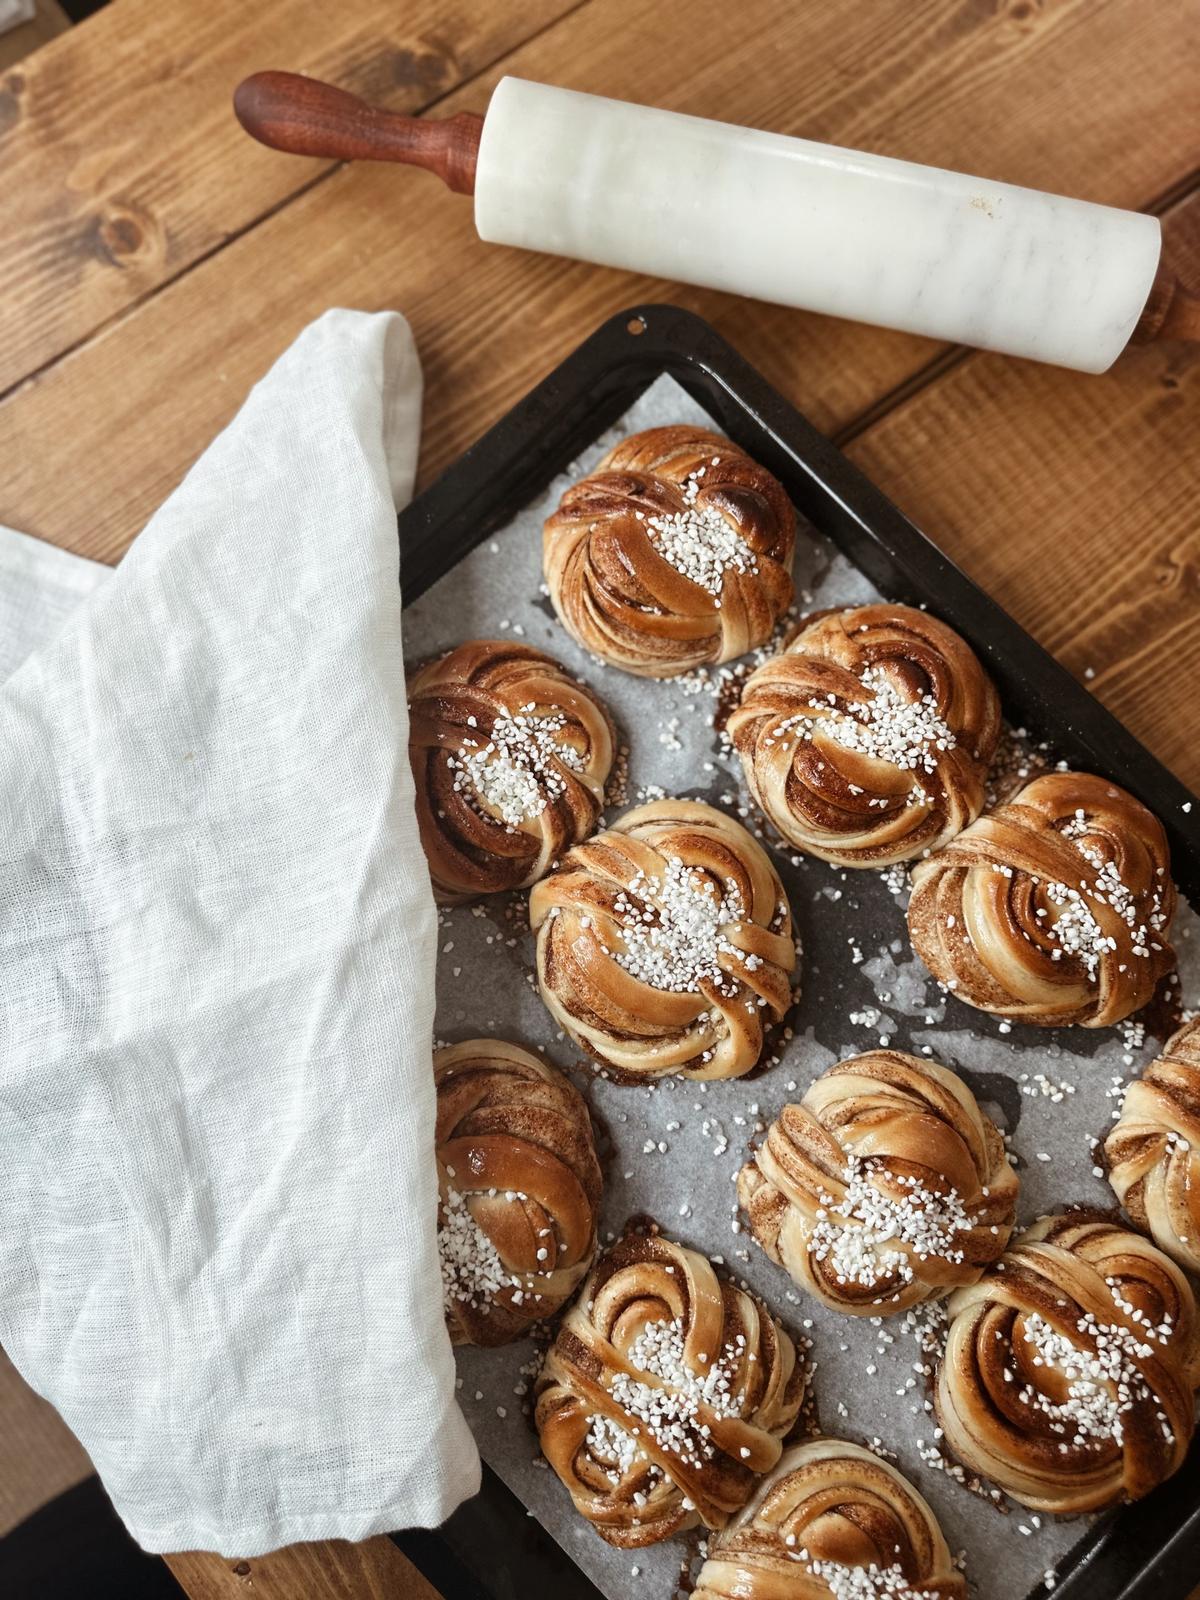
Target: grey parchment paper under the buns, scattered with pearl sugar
(860,985)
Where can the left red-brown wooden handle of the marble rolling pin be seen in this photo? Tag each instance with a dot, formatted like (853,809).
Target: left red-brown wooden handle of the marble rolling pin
(308,118)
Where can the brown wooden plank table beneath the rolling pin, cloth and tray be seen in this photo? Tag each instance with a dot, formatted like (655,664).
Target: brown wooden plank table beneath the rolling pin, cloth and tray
(154,263)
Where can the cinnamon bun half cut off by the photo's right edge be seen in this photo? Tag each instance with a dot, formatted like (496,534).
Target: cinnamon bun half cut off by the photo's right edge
(1154,1150)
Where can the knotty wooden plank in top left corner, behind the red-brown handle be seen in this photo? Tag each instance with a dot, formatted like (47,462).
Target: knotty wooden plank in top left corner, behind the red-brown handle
(124,164)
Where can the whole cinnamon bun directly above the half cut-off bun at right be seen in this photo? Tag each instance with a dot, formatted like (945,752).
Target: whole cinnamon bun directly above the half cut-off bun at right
(1052,910)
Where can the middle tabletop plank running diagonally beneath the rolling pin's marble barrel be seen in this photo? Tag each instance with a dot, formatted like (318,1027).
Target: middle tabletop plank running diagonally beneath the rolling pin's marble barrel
(1086,97)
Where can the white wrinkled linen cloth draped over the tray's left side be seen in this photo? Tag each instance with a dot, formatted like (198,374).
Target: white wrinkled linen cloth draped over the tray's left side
(218,1207)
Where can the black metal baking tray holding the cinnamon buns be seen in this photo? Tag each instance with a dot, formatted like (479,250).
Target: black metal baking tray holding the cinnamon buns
(492,1550)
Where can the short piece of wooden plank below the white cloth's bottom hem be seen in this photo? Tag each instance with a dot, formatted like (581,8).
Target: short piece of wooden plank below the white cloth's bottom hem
(327,1570)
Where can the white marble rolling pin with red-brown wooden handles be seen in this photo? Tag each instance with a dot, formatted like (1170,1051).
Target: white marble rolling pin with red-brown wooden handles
(764,215)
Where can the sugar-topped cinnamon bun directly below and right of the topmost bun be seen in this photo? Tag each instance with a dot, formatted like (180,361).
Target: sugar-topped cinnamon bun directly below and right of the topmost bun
(866,742)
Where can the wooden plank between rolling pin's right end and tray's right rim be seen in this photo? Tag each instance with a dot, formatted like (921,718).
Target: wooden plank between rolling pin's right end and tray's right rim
(1074,505)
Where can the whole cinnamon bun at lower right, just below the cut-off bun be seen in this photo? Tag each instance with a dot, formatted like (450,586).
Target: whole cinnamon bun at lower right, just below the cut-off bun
(1071,1367)
